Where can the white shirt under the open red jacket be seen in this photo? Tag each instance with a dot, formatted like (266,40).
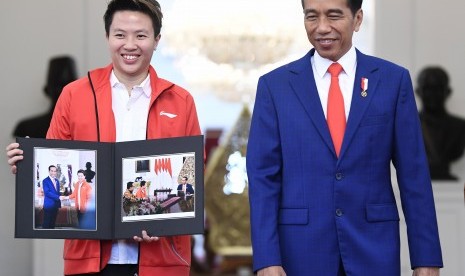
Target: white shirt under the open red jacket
(131,112)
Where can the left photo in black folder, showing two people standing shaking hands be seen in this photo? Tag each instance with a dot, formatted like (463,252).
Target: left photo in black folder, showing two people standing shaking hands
(62,197)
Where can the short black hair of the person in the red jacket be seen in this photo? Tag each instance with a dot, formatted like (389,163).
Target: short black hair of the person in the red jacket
(149,7)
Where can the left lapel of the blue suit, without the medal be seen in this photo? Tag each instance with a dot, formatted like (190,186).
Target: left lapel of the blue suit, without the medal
(303,84)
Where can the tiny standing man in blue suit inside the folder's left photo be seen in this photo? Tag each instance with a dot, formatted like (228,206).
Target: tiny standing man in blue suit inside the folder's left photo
(52,202)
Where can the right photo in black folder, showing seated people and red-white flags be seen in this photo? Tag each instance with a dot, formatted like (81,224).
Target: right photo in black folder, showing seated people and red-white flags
(150,186)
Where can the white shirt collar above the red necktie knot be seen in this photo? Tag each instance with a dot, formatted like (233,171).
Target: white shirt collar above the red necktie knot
(347,61)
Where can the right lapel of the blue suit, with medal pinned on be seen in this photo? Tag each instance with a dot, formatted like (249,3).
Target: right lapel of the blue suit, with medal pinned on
(359,105)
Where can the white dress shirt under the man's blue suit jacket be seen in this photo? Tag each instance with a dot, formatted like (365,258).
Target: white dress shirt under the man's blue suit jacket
(322,77)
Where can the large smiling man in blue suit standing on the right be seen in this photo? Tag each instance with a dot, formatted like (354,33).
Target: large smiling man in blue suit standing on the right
(321,209)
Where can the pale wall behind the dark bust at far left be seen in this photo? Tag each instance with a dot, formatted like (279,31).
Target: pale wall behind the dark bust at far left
(32,32)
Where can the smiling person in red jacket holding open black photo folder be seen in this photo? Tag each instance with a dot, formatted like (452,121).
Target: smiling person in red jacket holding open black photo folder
(124,101)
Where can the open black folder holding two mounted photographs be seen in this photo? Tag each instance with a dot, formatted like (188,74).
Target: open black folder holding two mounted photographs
(90,190)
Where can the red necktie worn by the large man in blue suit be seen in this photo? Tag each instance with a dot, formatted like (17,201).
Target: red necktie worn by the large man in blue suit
(336,116)
